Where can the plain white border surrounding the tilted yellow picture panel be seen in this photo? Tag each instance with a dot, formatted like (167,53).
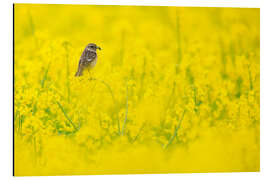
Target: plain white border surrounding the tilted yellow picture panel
(6,86)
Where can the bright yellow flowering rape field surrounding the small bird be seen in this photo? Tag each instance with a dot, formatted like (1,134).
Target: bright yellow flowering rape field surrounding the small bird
(175,90)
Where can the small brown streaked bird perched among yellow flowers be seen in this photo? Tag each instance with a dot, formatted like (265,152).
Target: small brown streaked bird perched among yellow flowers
(88,58)
